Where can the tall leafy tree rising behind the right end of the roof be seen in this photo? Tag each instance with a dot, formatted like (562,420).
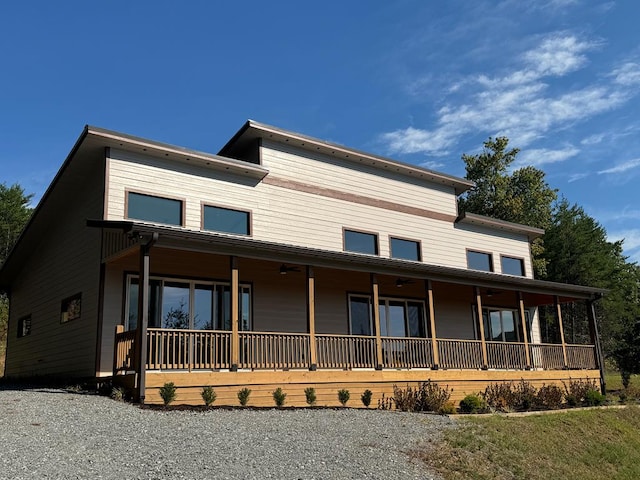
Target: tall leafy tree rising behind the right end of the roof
(522,196)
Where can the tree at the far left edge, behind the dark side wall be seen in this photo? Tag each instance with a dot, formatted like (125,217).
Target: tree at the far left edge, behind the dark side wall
(14,214)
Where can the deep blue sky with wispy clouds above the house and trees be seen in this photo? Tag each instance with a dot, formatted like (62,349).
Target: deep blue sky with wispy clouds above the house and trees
(421,82)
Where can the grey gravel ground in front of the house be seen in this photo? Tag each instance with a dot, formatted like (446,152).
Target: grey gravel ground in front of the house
(48,433)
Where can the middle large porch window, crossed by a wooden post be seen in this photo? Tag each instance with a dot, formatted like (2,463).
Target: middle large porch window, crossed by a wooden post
(398,317)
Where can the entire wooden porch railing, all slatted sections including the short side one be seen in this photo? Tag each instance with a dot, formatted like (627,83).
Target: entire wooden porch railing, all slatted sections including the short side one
(175,349)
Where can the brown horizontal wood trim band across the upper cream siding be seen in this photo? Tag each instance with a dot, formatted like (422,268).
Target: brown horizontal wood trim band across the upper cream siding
(354,198)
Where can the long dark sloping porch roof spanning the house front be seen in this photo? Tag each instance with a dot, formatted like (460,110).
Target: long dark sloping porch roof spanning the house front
(182,239)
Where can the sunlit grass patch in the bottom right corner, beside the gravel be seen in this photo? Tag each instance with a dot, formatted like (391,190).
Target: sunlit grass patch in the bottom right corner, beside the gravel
(593,444)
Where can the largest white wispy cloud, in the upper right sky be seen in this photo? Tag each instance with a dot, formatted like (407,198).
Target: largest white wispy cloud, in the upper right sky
(520,104)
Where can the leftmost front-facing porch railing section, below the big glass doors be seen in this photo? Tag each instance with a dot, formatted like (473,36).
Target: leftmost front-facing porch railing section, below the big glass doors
(169,349)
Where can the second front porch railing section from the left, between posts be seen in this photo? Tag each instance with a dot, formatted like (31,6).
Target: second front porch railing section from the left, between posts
(262,350)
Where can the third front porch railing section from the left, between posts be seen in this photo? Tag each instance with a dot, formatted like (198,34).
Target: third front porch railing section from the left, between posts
(346,351)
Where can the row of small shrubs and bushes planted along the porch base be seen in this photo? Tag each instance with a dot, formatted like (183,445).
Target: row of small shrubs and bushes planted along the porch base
(430,397)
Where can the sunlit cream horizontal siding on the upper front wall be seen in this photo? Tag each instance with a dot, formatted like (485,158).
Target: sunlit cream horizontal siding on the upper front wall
(310,219)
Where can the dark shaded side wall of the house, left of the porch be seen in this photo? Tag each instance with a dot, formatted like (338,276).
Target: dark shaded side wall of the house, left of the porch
(66,262)
